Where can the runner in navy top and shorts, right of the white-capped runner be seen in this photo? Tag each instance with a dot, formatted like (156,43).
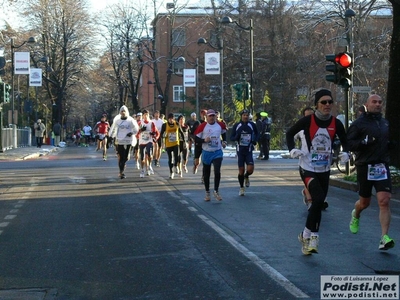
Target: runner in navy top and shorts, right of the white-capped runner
(245,134)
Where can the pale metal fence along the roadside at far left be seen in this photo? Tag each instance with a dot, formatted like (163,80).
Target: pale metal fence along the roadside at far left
(13,137)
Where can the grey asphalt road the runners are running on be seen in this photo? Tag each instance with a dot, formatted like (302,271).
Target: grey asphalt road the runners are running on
(70,229)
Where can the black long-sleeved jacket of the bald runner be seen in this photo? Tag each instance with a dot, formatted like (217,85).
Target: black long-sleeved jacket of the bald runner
(377,129)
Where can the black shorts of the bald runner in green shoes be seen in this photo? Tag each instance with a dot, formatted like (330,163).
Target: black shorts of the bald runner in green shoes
(365,185)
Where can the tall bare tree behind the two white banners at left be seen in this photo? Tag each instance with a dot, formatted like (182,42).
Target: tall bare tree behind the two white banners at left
(65,32)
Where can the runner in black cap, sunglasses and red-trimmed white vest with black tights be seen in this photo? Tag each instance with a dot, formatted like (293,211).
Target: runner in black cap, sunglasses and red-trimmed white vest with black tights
(315,158)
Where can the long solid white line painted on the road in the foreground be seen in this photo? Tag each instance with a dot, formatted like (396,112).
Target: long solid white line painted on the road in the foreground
(270,271)
